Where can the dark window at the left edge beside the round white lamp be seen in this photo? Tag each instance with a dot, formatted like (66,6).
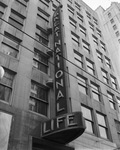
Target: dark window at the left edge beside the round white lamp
(6,85)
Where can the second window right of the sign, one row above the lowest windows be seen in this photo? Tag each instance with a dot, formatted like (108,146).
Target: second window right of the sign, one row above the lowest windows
(95,91)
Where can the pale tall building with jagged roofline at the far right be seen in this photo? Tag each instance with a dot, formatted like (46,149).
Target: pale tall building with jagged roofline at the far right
(110,21)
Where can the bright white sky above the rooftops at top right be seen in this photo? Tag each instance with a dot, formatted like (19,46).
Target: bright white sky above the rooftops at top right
(95,3)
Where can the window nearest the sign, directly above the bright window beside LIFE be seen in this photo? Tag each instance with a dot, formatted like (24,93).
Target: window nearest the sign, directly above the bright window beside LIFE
(82,84)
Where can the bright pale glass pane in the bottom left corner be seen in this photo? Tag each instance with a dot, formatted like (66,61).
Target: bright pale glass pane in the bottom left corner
(5,127)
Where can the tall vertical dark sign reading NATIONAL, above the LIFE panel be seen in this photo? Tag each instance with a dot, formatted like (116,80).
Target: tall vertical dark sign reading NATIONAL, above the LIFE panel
(60,90)
